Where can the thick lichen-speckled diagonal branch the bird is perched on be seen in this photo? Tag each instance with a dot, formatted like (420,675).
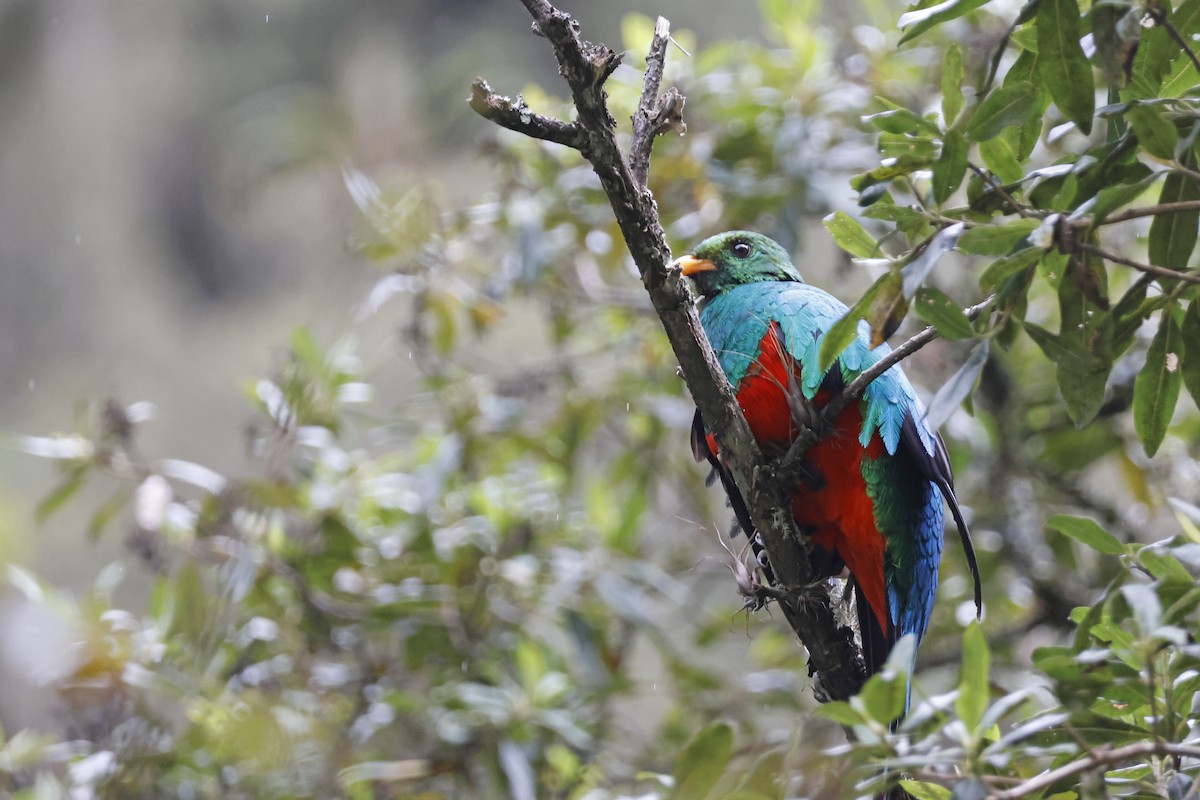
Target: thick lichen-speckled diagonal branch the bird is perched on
(835,659)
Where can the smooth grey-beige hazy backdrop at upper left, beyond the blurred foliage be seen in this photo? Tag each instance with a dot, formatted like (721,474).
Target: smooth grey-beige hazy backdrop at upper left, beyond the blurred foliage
(173,202)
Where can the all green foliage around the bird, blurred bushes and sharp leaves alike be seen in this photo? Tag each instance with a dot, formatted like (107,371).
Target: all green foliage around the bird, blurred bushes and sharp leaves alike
(484,592)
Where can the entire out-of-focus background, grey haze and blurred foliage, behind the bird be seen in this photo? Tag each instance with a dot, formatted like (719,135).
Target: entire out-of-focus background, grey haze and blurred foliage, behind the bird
(235,207)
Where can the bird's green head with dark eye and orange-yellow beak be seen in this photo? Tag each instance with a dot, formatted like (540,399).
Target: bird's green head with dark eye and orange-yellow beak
(734,258)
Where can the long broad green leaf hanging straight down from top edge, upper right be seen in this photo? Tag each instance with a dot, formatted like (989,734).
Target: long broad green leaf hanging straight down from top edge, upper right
(1065,70)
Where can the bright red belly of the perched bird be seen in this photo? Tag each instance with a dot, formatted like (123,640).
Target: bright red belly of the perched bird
(838,512)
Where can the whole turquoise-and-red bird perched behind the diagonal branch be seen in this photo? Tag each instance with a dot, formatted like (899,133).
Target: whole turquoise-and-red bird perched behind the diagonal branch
(873,489)
